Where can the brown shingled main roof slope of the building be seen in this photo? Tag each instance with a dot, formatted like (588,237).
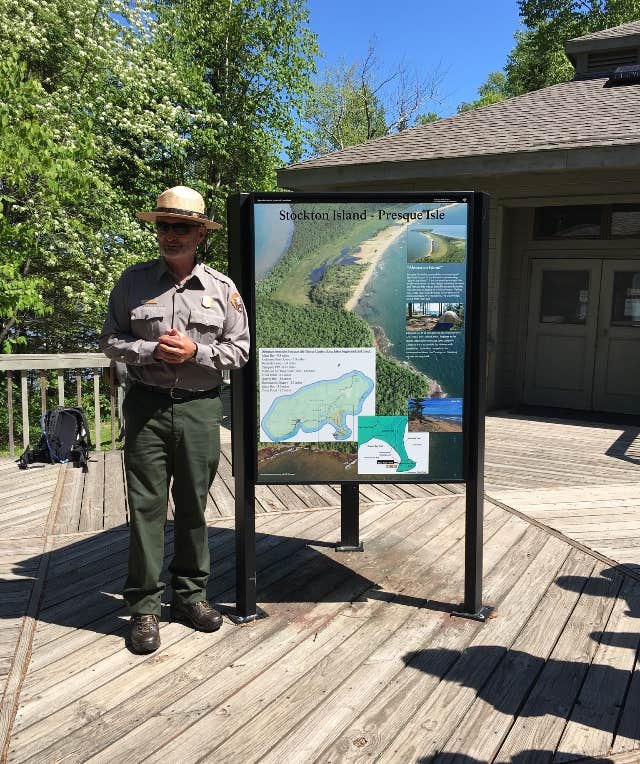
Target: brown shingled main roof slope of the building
(571,115)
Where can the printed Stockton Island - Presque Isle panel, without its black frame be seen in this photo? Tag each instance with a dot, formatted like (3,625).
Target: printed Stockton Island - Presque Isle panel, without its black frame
(360,327)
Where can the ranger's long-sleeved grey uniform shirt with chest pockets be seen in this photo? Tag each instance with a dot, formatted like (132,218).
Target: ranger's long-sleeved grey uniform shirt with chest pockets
(147,302)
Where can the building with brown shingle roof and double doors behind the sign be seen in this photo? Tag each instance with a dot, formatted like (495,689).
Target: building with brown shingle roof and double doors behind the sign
(562,166)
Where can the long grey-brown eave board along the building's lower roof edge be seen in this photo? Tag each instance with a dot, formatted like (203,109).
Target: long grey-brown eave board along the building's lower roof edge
(552,160)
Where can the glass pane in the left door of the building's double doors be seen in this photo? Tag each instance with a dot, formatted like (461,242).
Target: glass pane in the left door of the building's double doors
(565,295)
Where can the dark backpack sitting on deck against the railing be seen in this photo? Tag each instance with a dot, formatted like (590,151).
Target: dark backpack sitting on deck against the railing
(65,438)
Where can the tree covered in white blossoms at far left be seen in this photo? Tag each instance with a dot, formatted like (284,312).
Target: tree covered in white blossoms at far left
(89,118)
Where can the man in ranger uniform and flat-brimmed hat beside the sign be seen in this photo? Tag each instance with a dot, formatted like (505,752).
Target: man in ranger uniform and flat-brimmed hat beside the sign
(176,323)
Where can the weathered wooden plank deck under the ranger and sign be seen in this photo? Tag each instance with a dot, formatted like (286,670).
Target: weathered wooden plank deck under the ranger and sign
(359,658)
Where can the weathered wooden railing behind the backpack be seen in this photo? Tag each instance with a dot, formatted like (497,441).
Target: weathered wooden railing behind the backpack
(88,367)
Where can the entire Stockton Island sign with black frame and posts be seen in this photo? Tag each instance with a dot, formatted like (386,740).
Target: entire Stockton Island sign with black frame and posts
(367,363)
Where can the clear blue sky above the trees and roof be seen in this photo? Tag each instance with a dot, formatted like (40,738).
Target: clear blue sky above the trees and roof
(467,39)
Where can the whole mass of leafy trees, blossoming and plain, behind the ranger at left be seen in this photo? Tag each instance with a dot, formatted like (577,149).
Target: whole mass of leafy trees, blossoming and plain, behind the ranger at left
(101,107)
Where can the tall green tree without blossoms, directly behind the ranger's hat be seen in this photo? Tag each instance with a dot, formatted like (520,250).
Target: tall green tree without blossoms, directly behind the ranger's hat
(250,62)
